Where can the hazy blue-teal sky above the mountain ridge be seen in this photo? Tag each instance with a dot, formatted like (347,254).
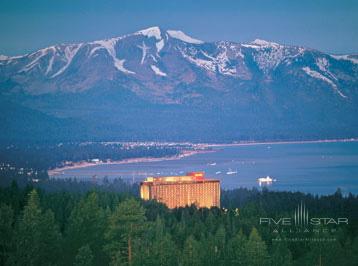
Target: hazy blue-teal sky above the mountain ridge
(327,25)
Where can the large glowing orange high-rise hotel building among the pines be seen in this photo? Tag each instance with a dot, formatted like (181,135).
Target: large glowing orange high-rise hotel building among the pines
(181,191)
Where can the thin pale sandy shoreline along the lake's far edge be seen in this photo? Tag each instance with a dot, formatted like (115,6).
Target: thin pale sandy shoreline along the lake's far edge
(186,153)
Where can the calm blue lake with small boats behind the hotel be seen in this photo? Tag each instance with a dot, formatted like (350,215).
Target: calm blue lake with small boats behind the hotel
(318,168)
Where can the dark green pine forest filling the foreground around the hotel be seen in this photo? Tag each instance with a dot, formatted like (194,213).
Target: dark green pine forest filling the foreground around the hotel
(101,227)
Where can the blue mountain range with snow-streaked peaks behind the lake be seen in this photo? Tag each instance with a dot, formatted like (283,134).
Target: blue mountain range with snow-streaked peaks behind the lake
(158,84)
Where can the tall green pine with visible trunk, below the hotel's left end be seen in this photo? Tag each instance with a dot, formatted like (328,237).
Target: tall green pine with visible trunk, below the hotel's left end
(126,226)
